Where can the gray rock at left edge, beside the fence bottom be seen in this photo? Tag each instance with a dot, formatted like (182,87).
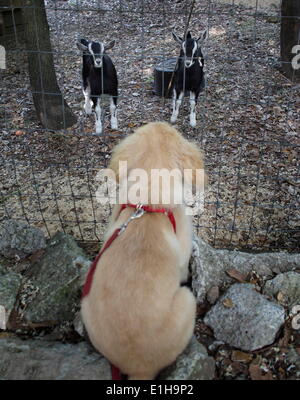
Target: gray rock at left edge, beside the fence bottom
(17,239)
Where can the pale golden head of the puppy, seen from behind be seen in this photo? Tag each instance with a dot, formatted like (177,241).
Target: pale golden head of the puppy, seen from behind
(159,147)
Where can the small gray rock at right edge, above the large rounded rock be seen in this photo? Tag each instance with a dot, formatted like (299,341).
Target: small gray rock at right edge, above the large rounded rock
(288,285)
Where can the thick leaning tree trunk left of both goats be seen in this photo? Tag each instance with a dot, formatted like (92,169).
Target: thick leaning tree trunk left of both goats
(51,108)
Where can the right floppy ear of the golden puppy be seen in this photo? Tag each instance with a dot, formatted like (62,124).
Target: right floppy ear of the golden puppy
(192,165)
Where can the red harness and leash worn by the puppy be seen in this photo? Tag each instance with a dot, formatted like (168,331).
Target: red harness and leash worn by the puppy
(139,211)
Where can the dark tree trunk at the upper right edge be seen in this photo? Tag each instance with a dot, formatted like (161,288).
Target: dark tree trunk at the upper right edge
(290,39)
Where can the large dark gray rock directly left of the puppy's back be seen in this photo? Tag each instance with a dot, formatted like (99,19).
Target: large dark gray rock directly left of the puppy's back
(56,280)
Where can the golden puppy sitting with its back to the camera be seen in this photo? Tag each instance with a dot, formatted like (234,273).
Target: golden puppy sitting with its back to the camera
(136,313)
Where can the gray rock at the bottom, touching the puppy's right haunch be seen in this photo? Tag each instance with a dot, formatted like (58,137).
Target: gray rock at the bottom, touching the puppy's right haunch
(193,363)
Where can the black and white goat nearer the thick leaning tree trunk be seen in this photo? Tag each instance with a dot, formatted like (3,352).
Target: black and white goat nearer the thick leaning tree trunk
(99,78)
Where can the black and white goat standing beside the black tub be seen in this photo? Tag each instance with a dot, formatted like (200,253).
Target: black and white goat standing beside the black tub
(189,75)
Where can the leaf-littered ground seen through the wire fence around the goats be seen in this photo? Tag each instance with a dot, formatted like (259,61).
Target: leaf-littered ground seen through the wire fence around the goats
(247,117)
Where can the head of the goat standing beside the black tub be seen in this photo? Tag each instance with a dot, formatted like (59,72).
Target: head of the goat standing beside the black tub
(190,48)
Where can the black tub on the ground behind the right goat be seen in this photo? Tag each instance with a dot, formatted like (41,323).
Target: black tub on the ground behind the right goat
(162,76)
